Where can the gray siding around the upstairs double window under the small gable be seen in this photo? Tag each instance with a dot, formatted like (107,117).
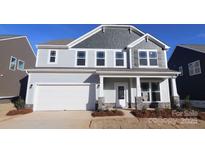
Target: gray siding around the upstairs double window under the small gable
(148,45)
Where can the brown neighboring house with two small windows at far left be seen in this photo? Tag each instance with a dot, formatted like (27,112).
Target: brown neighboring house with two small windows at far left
(16,55)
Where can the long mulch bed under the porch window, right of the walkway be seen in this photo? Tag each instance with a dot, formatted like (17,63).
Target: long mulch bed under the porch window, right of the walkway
(167,113)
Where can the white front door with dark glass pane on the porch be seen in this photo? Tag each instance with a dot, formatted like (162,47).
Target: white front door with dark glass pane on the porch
(121,94)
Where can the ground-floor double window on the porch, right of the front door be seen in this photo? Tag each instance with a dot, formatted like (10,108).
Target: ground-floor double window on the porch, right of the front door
(150,91)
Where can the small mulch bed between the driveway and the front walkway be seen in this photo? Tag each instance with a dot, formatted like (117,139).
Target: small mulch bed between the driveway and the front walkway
(107,113)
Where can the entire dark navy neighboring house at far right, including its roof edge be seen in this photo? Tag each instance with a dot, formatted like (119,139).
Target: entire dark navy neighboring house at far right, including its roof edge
(189,59)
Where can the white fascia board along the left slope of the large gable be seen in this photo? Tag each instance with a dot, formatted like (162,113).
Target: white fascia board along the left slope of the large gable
(85,36)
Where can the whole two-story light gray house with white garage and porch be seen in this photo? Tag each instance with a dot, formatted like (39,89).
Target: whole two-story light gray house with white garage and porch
(111,66)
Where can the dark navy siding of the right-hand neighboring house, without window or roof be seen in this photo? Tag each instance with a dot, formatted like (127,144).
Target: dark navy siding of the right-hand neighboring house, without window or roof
(193,86)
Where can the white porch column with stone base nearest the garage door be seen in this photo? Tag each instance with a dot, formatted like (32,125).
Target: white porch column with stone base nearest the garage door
(101,94)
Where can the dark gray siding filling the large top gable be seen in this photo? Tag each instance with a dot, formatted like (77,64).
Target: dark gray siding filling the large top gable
(111,38)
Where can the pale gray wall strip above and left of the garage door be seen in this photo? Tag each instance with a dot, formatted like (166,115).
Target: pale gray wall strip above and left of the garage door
(35,78)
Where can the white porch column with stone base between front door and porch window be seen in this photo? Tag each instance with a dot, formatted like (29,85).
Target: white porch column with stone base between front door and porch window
(138,99)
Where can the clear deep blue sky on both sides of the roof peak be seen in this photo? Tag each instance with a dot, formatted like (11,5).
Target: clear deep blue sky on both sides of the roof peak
(172,34)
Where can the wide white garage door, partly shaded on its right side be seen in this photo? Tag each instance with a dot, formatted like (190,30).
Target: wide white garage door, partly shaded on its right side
(64,97)
